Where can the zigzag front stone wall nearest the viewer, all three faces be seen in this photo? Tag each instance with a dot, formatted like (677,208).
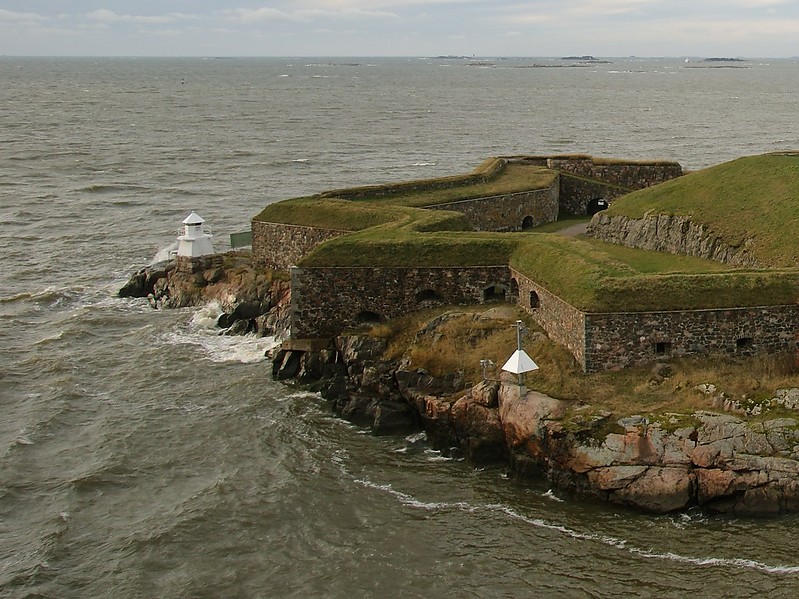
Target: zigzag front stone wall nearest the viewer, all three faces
(326,301)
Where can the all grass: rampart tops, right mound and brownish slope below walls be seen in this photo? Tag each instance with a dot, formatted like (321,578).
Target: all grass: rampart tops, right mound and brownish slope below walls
(752,201)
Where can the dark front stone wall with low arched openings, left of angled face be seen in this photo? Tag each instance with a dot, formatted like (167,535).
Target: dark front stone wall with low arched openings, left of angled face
(325,301)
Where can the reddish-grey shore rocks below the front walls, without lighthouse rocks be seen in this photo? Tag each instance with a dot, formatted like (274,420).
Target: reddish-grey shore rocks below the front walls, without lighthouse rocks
(716,461)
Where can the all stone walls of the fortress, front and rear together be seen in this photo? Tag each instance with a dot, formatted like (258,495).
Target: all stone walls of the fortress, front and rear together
(326,301)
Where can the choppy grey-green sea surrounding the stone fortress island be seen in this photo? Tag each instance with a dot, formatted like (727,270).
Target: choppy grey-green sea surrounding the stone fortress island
(143,455)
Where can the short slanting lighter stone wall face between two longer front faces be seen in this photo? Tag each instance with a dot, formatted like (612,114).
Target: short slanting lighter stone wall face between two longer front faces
(564,323)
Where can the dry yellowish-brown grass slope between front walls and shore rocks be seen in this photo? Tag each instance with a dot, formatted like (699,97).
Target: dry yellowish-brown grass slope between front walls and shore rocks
(470,334)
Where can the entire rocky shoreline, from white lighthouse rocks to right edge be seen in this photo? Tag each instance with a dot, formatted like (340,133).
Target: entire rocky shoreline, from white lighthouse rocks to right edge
(718,461)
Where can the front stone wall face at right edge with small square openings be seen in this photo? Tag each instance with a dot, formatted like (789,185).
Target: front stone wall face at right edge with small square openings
(619,340)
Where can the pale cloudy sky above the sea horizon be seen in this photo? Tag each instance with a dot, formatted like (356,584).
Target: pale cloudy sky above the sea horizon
(489,28)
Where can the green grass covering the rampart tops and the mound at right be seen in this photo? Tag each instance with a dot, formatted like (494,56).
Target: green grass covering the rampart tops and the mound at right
(753,200)
